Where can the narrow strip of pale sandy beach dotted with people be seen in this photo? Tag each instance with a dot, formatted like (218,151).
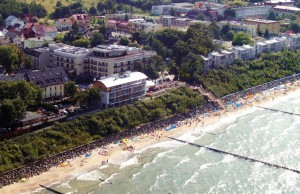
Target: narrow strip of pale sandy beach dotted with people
(116,155)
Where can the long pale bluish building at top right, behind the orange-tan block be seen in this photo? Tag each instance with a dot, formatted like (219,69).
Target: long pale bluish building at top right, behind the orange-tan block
(251,11)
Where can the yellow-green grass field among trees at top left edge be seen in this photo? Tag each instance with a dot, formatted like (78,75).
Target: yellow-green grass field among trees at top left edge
(50,4)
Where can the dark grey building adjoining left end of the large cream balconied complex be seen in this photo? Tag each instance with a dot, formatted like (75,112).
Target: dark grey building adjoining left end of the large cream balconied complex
(39,57)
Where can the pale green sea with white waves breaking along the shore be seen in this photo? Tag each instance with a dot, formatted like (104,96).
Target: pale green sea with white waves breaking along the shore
(174,167)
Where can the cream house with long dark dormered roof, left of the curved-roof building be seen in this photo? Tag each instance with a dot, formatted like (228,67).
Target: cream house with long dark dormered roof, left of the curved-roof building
(50,80)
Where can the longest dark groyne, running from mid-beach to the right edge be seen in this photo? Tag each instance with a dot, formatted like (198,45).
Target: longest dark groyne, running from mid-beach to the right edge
(236,155)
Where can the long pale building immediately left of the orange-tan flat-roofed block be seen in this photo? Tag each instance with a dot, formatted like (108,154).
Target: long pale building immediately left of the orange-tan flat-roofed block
(239,26)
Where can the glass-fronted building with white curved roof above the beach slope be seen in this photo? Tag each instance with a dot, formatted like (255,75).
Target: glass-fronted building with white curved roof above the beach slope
(118,90)
